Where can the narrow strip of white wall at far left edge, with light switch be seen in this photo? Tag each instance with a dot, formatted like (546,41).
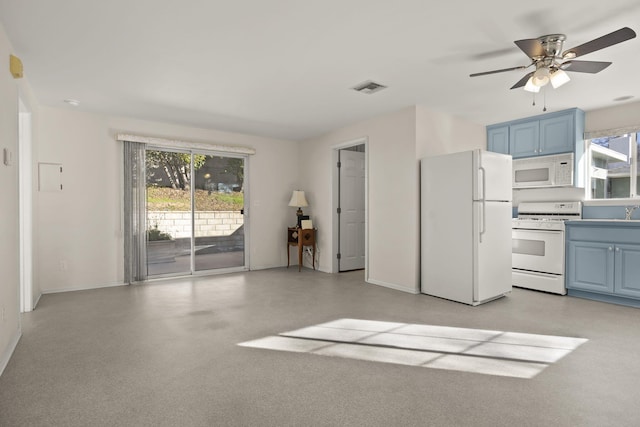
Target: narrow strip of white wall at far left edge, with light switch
(9,209)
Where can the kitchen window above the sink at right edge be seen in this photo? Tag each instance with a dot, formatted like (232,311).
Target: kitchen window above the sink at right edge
(612,168)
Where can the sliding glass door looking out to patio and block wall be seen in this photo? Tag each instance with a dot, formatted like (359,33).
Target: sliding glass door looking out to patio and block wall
(194,211)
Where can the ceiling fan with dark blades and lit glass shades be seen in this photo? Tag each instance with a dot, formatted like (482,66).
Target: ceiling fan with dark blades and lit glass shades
(551,62)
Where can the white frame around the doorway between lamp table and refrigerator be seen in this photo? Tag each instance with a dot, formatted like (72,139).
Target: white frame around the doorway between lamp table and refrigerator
(335,202)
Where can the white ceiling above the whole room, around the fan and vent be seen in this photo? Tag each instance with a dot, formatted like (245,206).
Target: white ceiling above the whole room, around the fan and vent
(284,68)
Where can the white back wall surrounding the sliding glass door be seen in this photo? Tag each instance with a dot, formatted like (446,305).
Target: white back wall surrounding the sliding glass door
(80,240)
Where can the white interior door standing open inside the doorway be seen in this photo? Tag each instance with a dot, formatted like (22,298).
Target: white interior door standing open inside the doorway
(352,210)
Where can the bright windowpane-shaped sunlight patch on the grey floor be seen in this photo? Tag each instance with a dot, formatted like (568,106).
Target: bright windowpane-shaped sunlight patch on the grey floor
(511,354)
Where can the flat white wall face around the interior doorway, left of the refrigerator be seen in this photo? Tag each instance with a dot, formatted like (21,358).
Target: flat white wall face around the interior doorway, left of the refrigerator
(392,202)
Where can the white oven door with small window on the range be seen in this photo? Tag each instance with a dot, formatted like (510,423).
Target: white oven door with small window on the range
(538,250)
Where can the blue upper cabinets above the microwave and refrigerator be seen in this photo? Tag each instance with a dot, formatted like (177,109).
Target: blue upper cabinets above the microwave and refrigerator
(551,133)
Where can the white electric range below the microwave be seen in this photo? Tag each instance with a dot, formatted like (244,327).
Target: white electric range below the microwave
(538,245)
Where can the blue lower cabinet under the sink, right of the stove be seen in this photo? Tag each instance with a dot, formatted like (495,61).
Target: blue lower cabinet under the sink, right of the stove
(603,262)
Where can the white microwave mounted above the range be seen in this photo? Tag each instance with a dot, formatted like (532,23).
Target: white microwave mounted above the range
(543,171)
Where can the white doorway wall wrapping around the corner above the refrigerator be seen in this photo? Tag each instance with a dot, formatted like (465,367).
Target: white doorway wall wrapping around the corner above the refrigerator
(395,144)
